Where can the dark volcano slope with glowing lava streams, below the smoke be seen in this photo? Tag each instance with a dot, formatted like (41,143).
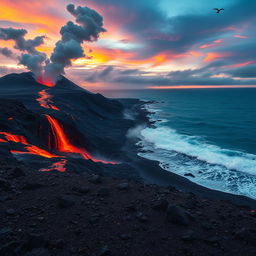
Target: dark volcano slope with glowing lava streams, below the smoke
(59,127)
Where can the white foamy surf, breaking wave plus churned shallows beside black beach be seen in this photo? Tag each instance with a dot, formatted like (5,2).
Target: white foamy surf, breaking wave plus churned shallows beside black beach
(213,167)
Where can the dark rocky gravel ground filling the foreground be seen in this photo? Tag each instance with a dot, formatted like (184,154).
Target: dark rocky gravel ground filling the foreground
(64,214)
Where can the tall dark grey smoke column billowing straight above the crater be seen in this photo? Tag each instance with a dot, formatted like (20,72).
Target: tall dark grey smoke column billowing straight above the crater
(90,25)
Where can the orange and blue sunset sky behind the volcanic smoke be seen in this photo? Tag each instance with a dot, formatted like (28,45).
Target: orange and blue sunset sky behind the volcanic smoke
(147,43)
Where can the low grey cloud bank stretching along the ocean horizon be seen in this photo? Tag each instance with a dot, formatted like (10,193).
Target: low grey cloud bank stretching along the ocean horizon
(117,77)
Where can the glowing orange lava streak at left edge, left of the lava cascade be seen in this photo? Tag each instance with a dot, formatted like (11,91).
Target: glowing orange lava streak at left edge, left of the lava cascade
(31,149)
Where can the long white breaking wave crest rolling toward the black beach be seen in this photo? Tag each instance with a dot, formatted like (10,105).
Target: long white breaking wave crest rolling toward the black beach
(168,139)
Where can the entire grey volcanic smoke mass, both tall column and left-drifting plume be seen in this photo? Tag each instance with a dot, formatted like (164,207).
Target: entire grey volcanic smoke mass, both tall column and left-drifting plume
(69,47)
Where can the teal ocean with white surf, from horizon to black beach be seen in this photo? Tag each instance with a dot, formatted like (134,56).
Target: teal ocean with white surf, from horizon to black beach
(207,134)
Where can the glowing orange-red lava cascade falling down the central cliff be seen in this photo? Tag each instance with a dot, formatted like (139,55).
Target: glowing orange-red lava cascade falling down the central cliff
(64,145)
